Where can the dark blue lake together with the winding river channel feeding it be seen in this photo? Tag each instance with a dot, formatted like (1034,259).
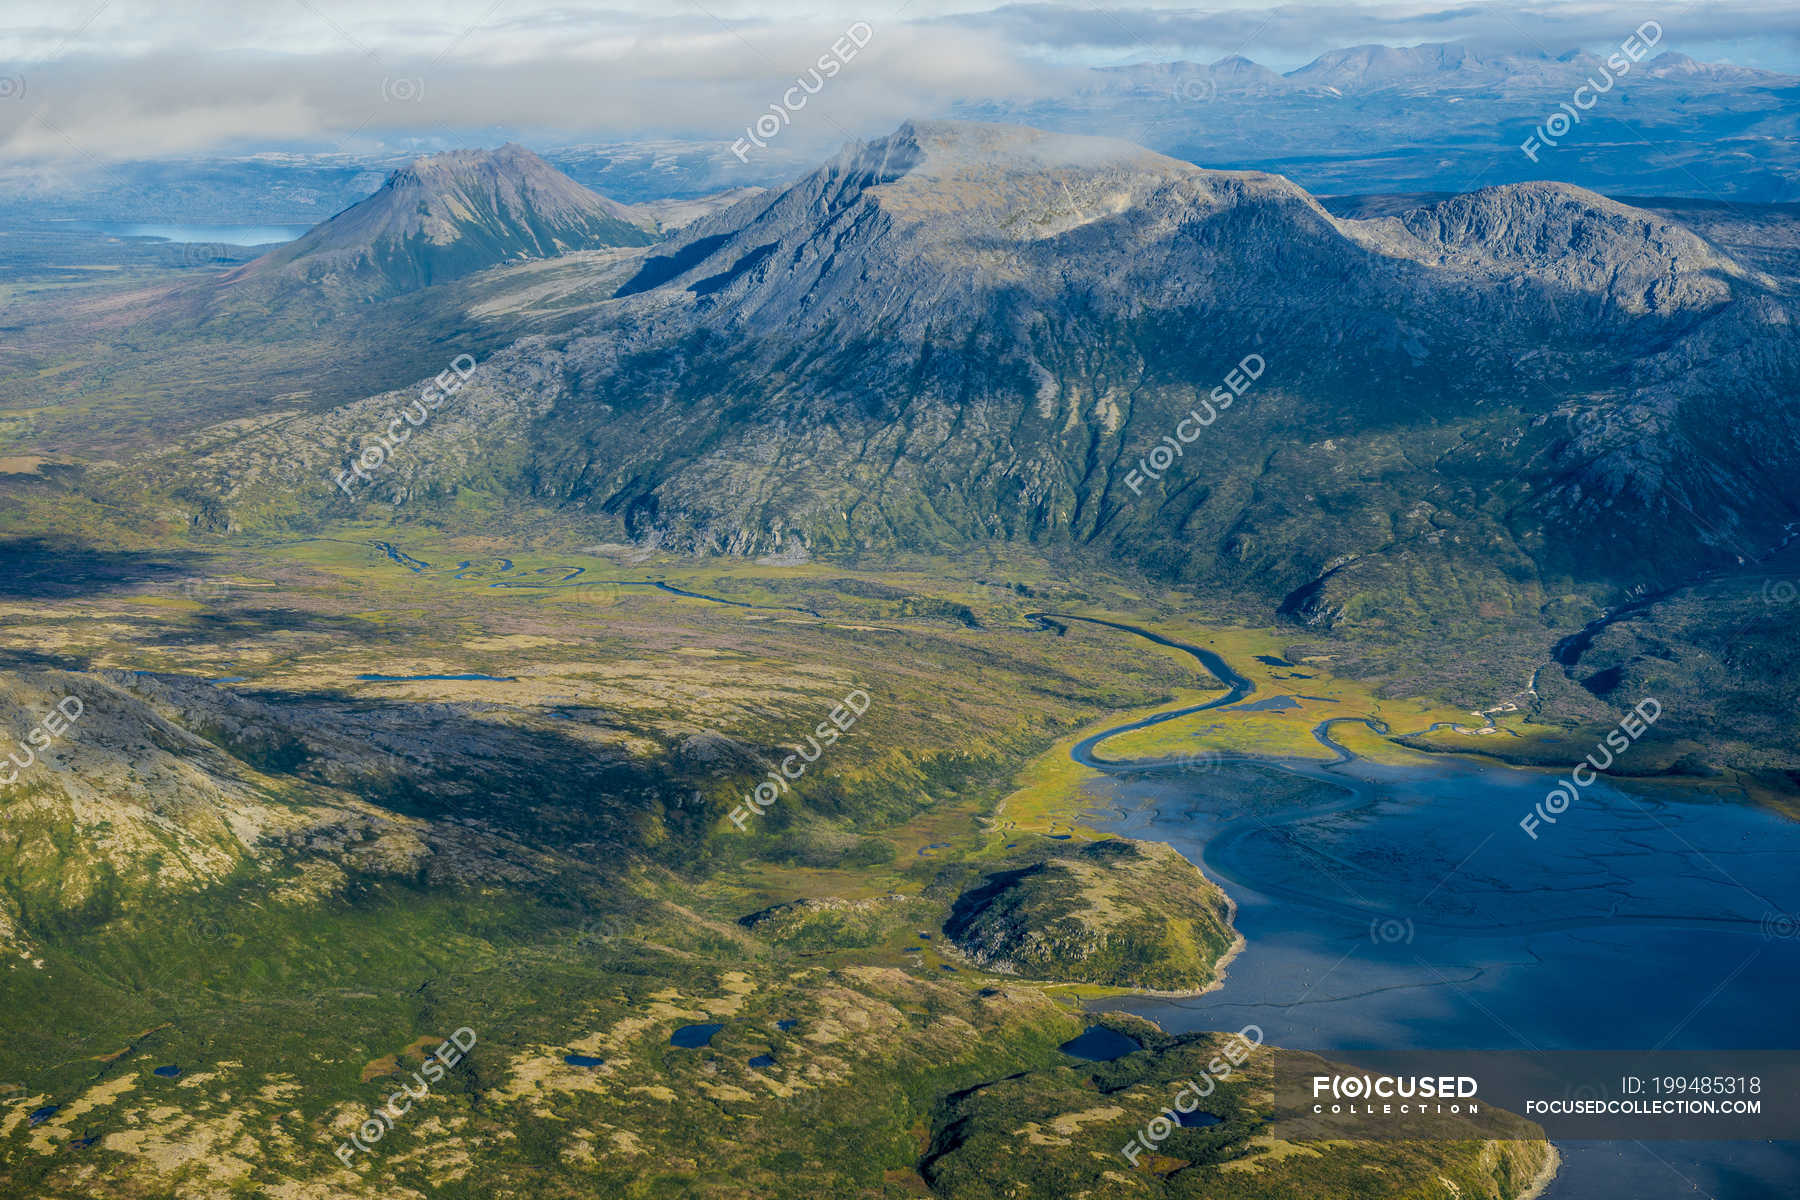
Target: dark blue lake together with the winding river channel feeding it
(1403,908)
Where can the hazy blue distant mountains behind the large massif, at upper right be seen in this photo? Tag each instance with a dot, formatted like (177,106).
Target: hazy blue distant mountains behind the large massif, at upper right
(1448,118)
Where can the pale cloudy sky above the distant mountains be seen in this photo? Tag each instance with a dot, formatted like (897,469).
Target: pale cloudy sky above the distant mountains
(91,80)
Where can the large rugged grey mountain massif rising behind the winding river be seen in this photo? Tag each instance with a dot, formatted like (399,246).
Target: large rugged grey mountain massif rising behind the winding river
(967,332)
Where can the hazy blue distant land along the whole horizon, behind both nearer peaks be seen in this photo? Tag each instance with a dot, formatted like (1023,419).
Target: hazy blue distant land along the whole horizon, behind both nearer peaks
(1428,118)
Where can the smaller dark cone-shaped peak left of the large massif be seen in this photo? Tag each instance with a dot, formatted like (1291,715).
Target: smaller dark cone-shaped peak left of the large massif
(451,215)
